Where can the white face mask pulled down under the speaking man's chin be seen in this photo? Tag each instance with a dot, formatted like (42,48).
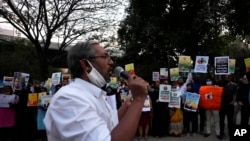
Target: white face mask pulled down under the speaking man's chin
(95,77)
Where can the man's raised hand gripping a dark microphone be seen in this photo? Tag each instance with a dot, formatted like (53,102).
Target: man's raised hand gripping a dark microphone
(137,85)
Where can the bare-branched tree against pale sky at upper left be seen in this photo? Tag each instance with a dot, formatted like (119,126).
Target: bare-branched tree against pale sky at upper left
(66,20)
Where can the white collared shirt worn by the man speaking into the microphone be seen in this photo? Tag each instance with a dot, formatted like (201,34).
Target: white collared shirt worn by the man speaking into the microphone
(80,112)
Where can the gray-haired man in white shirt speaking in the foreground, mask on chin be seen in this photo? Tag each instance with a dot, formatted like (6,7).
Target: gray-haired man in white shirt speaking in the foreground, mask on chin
(80,111)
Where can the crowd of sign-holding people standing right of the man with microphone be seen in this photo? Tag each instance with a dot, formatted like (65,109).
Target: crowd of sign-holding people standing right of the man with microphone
(165,121)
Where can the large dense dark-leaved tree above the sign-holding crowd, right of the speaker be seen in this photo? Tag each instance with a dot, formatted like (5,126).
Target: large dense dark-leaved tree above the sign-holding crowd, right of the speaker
(156,32)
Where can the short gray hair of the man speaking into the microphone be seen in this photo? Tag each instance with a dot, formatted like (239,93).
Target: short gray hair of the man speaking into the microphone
(77,52)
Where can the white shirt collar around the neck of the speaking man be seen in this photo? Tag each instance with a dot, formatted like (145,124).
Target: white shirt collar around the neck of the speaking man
(93,89)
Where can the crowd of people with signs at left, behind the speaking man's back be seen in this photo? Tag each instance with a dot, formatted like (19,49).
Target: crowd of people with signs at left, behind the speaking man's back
(24,126)
